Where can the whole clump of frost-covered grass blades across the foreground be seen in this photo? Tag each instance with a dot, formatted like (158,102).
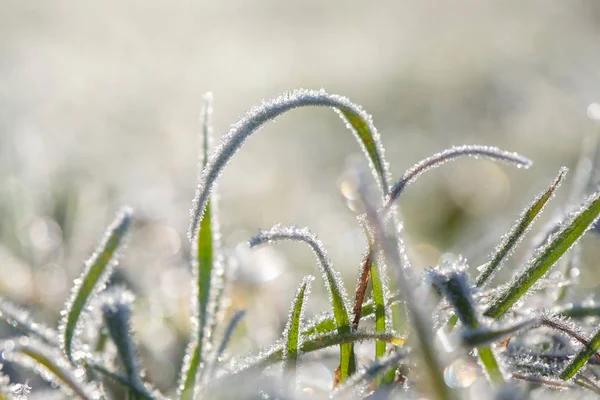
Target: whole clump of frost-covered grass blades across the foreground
(523,350)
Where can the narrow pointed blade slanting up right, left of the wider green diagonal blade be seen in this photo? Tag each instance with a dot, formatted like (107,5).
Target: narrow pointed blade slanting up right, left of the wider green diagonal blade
(519,229)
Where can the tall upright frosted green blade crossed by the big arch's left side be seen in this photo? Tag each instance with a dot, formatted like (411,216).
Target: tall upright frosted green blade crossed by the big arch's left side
(207,268)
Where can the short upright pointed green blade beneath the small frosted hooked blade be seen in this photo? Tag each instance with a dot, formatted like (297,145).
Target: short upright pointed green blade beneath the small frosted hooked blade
(292,339)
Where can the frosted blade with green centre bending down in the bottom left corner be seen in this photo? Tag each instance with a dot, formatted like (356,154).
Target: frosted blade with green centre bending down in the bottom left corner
(51,365)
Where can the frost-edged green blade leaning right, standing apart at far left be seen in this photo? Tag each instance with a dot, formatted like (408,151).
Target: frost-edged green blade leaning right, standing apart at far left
(92,281)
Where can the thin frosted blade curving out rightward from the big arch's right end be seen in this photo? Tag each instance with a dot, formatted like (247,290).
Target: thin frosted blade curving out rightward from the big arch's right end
(492,153)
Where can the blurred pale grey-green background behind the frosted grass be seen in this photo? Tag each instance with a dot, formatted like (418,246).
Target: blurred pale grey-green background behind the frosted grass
(99,105)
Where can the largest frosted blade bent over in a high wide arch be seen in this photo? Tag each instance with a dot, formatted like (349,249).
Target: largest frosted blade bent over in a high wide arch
(357,120)
